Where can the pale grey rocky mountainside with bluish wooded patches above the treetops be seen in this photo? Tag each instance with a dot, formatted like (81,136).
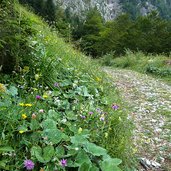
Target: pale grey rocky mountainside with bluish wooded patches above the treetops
(112,8)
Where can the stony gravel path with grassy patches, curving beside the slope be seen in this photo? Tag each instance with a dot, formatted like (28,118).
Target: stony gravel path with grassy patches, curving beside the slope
(150,102)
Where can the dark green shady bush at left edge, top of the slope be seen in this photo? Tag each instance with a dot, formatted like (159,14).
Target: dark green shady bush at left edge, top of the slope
(15,32)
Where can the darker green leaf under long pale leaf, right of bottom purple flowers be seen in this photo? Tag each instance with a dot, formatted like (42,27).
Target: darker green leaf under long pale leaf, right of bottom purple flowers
(81,158)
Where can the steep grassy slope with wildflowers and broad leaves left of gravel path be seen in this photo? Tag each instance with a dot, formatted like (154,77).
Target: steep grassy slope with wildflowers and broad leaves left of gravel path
(58,110)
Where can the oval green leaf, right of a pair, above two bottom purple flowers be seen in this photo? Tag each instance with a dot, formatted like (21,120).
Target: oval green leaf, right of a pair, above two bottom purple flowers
(48,153)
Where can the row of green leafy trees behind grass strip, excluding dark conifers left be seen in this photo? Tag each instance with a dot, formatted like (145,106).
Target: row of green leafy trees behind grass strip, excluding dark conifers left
(150,34)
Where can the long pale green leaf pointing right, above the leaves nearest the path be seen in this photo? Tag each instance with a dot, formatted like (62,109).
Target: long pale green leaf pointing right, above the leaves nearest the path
(94,149)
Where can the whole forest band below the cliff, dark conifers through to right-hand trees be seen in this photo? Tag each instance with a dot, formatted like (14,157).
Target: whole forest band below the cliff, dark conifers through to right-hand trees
(95,36)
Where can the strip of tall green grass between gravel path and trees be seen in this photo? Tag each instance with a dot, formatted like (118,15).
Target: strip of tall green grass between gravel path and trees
(158,66)
